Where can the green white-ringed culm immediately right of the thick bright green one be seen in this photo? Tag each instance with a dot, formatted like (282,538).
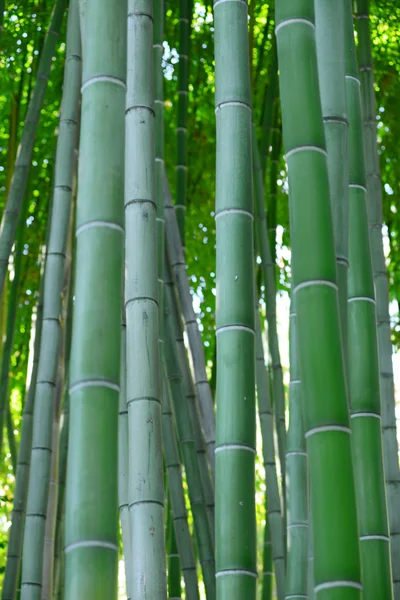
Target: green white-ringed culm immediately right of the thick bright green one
(363,354)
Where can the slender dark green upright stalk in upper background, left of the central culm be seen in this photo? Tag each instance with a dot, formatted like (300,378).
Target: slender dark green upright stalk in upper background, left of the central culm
(181,129)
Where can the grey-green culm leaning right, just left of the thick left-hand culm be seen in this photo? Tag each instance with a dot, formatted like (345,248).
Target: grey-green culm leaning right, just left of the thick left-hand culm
(53,299)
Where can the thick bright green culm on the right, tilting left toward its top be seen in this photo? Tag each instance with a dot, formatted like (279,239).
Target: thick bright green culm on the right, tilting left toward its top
(335,533)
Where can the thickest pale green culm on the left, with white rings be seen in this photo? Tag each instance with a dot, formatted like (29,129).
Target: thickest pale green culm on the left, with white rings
(91,520)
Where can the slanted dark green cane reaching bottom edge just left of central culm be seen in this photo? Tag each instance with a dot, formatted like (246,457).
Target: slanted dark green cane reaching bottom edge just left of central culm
(188,451)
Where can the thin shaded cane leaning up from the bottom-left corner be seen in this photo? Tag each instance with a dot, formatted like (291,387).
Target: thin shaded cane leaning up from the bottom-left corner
(14,548)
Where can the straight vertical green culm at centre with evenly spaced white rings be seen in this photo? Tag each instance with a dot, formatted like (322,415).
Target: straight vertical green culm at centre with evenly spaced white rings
(235,523)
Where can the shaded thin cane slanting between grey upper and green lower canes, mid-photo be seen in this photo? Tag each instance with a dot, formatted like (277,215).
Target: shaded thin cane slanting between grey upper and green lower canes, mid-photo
(175,315)
